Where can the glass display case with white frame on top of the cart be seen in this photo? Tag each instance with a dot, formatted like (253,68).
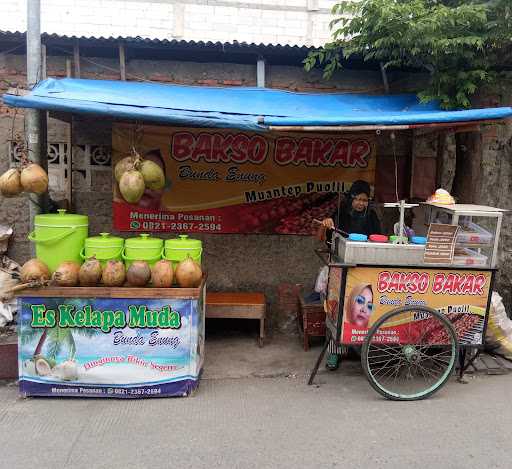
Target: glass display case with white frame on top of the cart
(479,231)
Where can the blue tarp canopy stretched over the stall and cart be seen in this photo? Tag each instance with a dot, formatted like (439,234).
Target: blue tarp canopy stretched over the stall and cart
(243,108)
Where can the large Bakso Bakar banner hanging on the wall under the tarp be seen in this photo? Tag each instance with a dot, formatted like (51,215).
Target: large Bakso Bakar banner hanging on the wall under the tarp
(240,182)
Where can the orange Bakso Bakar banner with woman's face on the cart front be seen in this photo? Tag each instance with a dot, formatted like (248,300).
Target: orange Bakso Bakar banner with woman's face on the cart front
(462,295)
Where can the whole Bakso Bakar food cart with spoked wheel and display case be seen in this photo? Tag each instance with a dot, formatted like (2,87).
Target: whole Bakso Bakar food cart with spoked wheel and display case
(411,318)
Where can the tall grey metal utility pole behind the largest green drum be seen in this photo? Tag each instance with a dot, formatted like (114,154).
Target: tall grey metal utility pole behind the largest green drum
(35,120)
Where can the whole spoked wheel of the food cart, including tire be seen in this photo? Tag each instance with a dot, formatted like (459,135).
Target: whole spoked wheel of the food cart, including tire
(415,364)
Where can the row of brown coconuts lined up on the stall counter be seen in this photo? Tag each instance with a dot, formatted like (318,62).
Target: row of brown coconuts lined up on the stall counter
(188,274)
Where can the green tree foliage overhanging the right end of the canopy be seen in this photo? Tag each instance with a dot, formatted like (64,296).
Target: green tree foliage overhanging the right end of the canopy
(460,43)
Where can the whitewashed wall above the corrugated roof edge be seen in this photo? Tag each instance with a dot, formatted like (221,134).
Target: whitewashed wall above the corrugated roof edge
(291,22)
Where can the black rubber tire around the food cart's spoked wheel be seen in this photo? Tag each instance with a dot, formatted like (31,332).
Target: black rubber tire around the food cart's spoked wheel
(452,335)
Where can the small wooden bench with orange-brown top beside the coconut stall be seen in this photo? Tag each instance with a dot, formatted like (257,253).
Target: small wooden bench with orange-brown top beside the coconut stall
(238,305)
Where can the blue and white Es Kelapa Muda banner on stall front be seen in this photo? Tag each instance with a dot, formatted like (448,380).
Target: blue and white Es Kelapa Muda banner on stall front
(104,347)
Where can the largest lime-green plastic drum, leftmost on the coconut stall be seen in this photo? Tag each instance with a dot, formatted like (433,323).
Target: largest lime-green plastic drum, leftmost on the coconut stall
(59,237)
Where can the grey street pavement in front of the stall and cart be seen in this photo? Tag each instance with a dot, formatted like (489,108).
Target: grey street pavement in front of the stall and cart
(275,422)
